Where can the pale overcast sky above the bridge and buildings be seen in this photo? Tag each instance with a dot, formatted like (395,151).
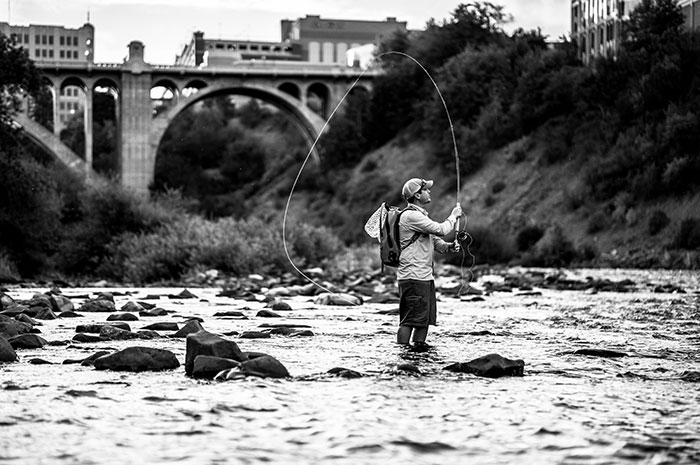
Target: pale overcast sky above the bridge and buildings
(165,26)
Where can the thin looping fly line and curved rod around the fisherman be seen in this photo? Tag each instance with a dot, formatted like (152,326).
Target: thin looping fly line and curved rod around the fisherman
(318,137)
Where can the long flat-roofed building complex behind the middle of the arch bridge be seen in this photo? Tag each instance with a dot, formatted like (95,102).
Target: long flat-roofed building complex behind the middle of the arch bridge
(310,39)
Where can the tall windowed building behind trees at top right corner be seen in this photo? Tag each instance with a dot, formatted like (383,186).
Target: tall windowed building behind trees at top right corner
(596,24)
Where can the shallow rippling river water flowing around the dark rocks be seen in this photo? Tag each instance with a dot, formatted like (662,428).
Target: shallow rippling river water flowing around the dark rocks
(567,409)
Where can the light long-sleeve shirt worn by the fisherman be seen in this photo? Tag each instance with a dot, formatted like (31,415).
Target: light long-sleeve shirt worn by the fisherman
(416,261)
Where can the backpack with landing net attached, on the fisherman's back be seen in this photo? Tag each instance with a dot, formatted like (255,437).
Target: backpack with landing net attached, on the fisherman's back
(384,226)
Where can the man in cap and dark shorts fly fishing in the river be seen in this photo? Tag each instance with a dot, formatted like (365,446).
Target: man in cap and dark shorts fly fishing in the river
(418,235)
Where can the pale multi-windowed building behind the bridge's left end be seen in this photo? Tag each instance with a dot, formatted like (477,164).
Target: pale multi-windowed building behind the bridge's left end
(46,43)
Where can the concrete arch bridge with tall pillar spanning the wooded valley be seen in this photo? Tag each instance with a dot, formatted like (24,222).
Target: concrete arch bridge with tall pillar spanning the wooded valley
(293,87)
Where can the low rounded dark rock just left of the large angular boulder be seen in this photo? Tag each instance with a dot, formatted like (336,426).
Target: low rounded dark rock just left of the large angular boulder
(138,359)
